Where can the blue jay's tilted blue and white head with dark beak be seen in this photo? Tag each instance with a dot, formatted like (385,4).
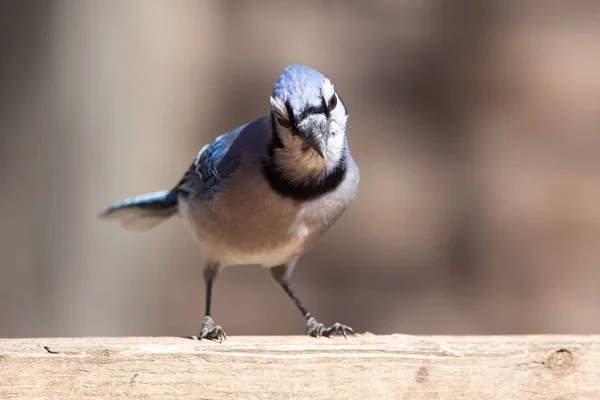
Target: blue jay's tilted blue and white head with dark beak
(308,114)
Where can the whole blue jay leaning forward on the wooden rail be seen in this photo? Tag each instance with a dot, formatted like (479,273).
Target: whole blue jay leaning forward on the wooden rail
(265,192)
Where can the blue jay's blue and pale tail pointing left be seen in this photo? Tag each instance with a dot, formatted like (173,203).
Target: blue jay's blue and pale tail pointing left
(143,212)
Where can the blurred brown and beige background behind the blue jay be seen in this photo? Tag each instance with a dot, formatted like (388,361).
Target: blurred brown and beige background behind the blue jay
(476,125)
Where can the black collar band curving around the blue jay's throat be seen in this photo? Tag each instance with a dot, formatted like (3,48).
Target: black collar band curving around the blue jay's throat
(302,191)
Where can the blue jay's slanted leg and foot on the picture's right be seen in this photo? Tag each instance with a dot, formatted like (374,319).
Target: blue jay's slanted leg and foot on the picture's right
(314,328)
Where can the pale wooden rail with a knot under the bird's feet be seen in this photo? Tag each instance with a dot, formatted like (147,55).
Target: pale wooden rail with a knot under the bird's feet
(363,367)
